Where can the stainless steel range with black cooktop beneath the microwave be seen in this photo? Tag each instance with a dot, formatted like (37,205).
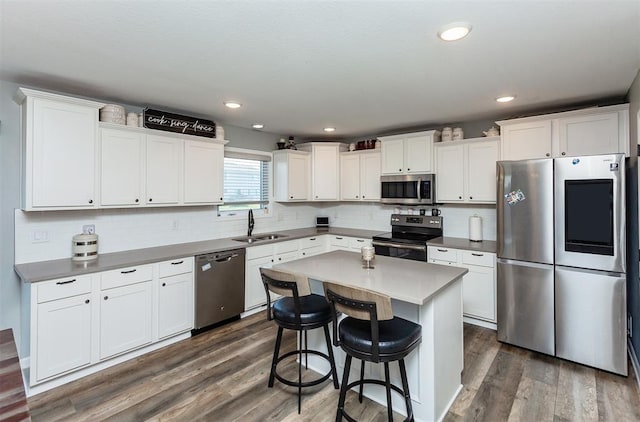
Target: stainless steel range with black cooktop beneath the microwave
(408,237)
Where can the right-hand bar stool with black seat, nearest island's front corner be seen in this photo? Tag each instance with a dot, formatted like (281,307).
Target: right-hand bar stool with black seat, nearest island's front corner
(371,333)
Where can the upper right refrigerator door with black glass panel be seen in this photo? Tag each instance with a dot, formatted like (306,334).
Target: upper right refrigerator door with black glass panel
(589,212)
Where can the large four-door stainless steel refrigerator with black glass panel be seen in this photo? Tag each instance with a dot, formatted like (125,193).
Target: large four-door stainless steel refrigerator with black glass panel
(561,258)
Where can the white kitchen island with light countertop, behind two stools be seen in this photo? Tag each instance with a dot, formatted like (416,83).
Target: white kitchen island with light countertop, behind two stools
(428,294)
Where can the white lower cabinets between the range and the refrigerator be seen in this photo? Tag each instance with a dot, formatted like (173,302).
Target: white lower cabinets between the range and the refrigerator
(478,285)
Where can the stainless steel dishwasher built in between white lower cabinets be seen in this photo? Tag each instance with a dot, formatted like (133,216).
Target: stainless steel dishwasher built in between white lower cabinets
(219,287)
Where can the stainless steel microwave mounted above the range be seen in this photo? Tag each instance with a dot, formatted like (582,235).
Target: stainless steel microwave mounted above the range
(410,189)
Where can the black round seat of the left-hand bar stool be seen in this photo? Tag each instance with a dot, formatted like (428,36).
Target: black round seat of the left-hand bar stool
(315,311)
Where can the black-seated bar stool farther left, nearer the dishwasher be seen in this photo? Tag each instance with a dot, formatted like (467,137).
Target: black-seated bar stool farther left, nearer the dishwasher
(298,310)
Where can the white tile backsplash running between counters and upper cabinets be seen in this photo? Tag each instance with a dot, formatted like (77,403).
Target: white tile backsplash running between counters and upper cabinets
(46,235)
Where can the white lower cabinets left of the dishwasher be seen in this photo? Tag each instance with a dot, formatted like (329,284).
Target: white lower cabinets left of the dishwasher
(80,321)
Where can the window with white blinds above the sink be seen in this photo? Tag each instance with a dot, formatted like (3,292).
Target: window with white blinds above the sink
(246,180)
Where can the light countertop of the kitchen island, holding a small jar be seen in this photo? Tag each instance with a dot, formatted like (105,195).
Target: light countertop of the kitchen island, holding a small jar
(402,279)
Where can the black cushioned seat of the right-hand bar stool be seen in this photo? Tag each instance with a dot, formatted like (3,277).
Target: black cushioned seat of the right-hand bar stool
(397,337)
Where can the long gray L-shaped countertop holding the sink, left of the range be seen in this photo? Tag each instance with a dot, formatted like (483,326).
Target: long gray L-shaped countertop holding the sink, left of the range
(60,268)
